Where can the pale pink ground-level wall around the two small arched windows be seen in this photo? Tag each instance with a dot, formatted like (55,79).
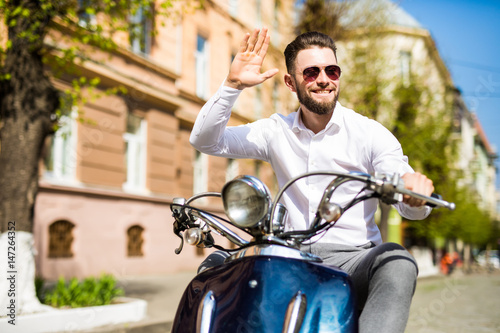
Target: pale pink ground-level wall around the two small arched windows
(101,220)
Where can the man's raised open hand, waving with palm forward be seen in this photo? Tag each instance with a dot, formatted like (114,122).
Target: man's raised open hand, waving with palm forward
(246,67)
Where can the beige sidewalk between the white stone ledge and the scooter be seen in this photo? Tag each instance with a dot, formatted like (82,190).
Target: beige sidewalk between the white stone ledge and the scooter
(162,293)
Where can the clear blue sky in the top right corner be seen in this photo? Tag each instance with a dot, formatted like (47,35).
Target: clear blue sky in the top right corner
(467,35)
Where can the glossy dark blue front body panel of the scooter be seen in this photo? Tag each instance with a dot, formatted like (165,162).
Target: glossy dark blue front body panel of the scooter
(268,294)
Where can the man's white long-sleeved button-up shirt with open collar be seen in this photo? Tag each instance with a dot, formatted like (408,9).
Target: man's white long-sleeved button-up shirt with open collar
(350,142)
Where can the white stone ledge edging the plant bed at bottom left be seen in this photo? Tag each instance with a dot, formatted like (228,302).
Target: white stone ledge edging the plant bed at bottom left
(125,310)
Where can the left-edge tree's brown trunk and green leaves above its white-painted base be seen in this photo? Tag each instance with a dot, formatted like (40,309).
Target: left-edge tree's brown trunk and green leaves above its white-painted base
(60,36)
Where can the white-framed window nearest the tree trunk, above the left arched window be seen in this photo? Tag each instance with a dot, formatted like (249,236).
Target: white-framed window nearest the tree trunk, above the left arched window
(60,161)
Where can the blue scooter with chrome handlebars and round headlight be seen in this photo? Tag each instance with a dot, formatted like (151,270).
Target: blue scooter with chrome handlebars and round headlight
(267,284)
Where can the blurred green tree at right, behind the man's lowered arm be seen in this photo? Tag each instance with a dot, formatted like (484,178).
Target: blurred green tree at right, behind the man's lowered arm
(429,144)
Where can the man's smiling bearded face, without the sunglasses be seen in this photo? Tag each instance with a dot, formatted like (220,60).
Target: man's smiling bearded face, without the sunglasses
(320,95)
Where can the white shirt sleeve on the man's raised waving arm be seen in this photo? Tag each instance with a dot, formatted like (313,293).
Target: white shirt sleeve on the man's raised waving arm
(210,134)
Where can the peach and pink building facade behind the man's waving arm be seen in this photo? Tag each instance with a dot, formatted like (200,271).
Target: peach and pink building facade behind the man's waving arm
(107,180)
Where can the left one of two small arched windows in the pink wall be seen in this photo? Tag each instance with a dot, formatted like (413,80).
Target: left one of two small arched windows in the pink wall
(60,239)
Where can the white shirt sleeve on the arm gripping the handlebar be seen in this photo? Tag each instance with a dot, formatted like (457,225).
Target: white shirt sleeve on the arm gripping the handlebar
(388,158)
